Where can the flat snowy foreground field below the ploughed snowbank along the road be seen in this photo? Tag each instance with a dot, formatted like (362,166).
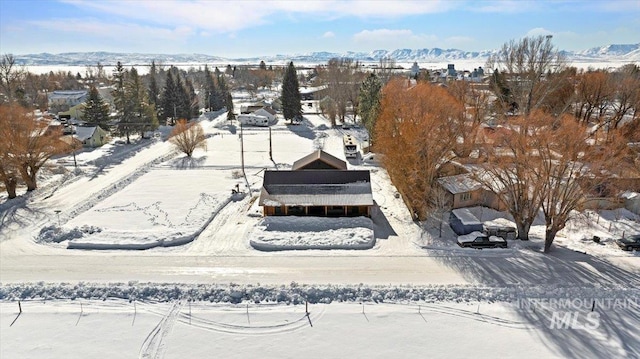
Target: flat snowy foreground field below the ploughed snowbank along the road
(181,329)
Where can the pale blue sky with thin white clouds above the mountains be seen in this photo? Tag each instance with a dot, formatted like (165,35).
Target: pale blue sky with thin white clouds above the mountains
(240,28)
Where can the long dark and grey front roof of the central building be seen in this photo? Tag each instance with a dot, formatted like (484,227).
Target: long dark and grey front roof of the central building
(316,188)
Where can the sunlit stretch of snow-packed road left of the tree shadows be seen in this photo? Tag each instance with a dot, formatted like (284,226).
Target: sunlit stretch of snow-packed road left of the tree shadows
(116,267)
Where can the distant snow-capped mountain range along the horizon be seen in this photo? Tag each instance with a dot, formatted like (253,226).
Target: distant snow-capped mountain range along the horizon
(617,53)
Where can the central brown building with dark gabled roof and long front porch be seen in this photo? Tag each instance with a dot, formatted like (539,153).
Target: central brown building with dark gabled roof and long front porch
(319,185)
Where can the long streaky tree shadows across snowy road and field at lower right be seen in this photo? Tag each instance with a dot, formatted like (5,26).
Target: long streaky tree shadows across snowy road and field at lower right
(574,274)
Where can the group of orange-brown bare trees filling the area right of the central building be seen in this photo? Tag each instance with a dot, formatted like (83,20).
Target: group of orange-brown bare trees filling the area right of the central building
(554,143)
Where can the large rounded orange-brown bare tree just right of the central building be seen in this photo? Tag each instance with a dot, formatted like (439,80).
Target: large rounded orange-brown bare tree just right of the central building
(414,132)
